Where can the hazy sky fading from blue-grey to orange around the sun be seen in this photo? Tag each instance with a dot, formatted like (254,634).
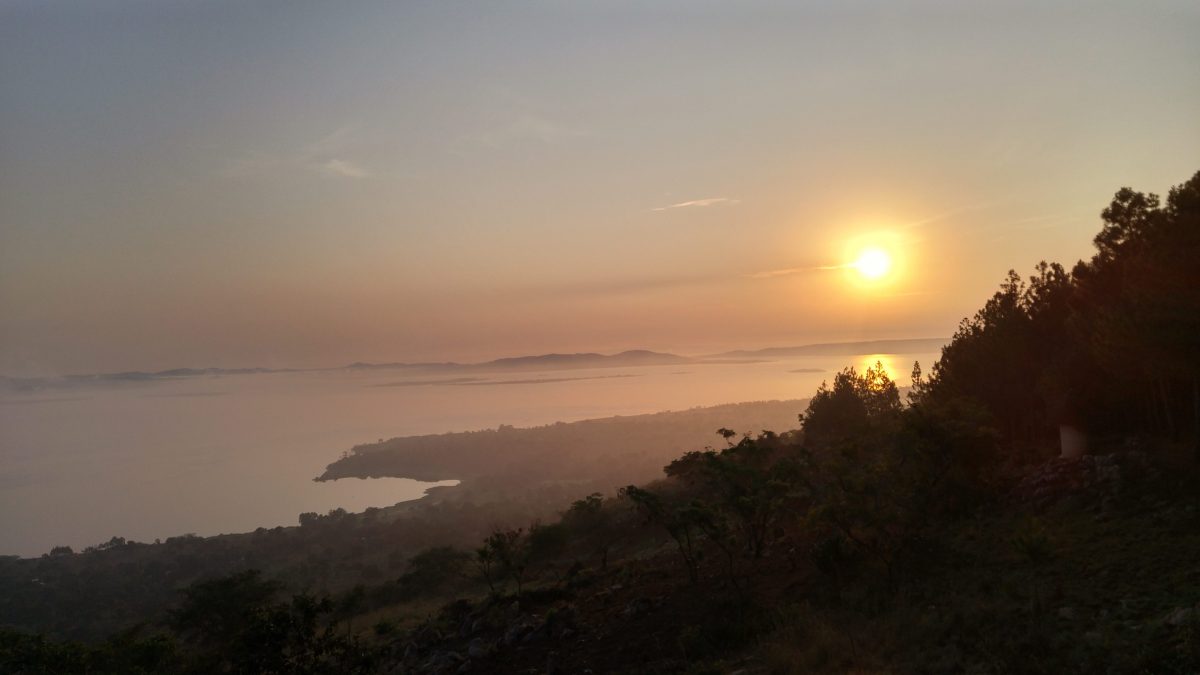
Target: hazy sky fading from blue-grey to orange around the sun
(290,183)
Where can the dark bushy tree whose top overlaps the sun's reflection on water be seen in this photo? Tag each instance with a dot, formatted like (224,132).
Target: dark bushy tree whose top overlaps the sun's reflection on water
(879,471)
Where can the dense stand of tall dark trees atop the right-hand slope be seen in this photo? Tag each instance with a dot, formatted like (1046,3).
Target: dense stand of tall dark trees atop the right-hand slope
(1111,347)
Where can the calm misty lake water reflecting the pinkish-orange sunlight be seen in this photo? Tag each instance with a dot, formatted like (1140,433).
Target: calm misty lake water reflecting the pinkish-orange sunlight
(232,453)
